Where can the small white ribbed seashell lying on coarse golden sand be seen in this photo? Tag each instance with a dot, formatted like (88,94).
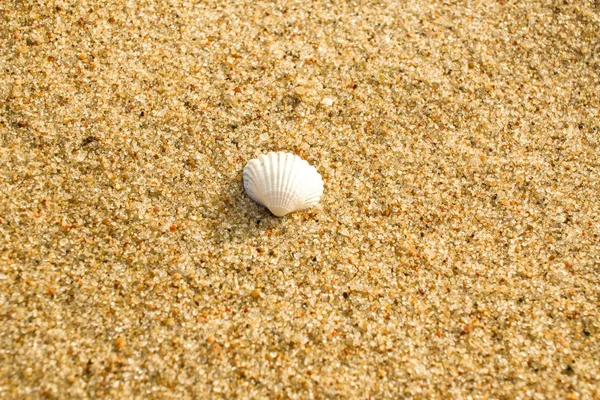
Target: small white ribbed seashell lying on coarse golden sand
(282,182)
